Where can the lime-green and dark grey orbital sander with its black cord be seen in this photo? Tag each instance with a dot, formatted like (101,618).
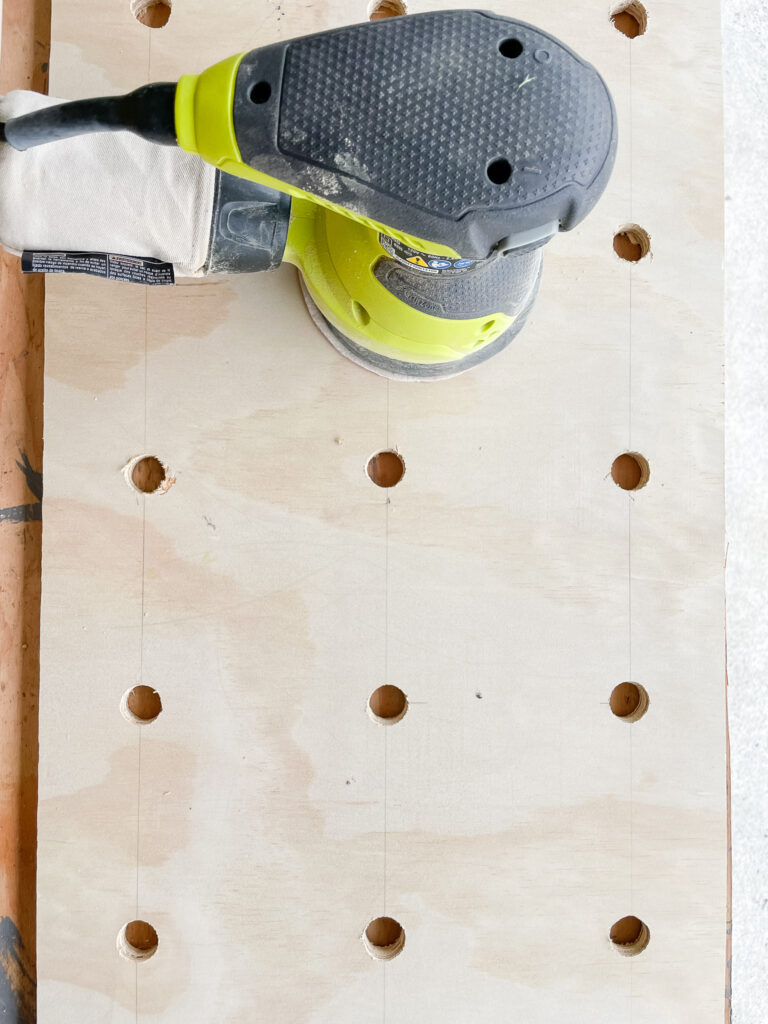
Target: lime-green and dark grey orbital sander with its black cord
(412,168)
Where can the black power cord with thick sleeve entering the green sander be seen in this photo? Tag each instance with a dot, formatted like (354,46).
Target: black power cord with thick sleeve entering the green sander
(148,112)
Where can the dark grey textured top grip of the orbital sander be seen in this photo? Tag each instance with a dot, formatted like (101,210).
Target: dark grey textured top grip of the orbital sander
(461,127)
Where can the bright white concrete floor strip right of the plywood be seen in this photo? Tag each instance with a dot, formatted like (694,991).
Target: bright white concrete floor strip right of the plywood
(746,79)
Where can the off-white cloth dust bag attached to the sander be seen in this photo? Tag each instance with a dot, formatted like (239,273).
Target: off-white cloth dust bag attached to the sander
(109,193)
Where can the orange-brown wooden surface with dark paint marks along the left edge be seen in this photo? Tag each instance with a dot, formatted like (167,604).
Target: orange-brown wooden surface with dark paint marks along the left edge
(24,64)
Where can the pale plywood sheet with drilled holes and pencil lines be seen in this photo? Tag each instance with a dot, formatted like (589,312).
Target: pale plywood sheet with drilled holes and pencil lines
(507,585)
